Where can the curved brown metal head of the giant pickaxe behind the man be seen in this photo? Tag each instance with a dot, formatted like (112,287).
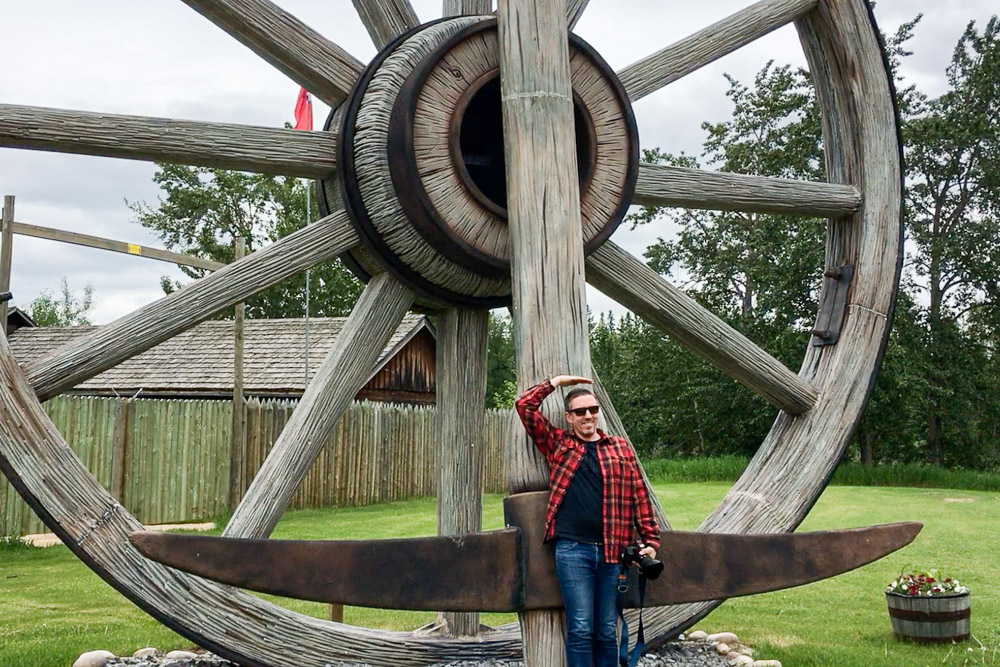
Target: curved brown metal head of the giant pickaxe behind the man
(511,569)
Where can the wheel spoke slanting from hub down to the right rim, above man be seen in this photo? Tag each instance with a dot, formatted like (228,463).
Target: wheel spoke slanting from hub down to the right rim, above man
(624,278)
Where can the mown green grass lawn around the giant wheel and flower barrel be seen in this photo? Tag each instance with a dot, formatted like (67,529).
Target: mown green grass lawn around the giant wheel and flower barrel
(52,608)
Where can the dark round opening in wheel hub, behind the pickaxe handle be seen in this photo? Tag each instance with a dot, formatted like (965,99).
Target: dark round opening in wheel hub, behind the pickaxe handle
(480,143)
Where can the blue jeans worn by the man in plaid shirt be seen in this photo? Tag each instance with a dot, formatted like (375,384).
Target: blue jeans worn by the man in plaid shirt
(589,588)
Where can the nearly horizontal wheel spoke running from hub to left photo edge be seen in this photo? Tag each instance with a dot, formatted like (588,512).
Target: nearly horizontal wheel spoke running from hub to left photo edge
(242,147)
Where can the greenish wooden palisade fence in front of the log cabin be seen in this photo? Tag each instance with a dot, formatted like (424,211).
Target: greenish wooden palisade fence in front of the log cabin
(169,460)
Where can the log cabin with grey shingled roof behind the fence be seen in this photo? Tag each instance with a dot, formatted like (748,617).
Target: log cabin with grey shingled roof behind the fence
(199,362)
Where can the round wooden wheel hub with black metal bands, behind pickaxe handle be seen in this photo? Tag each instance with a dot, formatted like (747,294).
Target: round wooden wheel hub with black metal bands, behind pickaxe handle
(422,154)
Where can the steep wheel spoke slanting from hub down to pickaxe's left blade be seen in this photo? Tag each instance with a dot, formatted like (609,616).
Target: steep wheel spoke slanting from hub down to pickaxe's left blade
(343,373)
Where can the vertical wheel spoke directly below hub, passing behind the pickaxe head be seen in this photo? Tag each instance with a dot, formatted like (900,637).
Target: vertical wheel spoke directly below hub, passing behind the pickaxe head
(461,411)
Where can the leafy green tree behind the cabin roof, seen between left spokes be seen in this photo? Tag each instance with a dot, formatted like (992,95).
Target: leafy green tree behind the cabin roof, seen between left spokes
(204,210)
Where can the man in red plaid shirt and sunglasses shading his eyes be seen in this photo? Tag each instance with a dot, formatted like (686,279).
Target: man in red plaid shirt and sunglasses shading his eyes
(597,500)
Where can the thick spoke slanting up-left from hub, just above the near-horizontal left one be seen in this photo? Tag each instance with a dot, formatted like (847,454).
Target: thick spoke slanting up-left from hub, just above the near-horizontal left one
(295,49)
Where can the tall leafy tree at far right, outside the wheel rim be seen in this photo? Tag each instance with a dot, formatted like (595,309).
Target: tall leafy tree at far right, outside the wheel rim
(953,198)
